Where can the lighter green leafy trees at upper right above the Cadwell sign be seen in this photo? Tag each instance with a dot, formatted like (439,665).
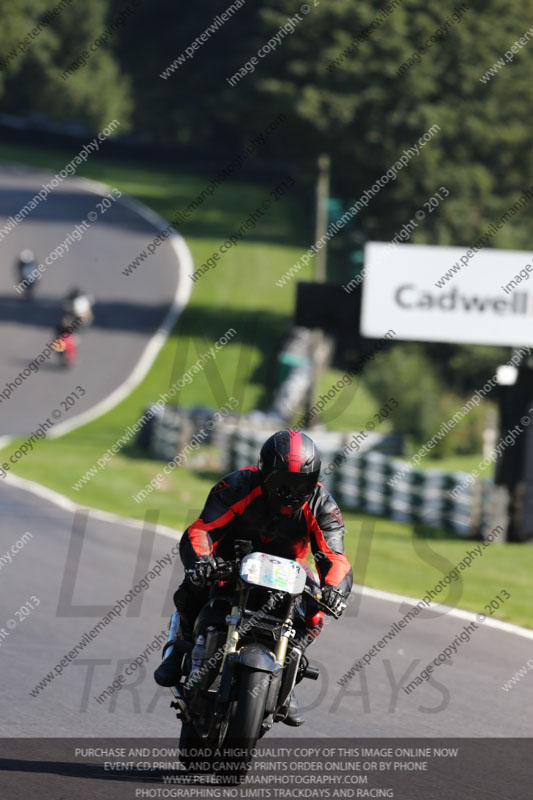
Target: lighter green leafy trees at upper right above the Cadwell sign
(366,115)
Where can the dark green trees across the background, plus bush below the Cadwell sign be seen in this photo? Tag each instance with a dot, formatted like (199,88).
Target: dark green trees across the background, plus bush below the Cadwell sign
(362,107)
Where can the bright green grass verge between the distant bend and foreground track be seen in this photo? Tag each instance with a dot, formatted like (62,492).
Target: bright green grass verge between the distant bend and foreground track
(241,293)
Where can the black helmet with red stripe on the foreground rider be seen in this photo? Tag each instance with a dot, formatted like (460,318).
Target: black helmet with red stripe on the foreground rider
(290,465)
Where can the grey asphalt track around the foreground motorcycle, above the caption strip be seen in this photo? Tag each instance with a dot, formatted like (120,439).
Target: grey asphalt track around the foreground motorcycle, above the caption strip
(464,699)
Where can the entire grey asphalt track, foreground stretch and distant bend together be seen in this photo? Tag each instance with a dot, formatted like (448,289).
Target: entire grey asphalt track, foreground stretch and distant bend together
(464,699)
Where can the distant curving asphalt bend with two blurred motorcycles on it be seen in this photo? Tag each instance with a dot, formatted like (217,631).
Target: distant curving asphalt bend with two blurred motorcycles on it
(128,309)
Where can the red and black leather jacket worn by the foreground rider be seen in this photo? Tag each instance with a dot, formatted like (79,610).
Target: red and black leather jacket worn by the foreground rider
(237,508)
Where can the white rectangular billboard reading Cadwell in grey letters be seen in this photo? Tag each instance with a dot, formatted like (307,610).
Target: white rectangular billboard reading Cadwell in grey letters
(489,300)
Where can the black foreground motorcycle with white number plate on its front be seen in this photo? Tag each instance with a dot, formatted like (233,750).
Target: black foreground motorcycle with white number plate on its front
(237,678)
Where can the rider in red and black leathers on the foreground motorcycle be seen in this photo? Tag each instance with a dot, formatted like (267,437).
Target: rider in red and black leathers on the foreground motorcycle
(280,506)
